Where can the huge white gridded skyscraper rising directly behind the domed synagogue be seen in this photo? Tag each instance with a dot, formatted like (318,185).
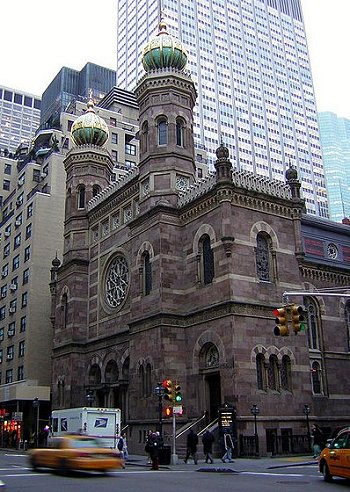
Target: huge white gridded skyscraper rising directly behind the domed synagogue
(250,63)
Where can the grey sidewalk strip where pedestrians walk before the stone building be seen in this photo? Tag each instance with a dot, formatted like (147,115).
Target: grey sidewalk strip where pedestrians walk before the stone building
(239,464)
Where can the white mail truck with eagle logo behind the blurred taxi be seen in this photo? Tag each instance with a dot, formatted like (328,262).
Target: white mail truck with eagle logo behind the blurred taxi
(103,423)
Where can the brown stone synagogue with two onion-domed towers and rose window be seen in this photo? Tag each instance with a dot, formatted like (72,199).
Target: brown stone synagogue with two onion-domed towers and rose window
(164,276)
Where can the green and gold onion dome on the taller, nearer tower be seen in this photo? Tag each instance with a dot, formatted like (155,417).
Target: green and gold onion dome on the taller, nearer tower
(164,51)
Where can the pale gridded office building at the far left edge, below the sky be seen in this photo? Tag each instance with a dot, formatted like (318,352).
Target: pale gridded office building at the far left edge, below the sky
(19,118)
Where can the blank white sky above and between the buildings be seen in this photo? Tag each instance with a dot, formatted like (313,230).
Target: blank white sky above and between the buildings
(39,37)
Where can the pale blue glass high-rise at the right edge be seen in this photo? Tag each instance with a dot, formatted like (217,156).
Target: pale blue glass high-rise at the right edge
(335,140)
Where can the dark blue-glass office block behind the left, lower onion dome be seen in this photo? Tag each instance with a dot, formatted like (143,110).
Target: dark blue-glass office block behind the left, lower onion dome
(68,85)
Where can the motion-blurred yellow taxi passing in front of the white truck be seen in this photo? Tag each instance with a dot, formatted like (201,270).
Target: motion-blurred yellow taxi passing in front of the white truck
(76,452)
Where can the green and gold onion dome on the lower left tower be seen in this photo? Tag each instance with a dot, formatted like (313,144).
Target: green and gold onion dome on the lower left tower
(89,128)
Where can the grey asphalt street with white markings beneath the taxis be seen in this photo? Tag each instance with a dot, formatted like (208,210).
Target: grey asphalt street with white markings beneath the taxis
(17,476)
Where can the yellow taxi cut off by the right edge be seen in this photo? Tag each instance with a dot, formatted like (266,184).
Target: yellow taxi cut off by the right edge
(334,460)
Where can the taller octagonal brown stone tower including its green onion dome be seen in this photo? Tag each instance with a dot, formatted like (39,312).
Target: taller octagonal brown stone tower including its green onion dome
(166,96)
